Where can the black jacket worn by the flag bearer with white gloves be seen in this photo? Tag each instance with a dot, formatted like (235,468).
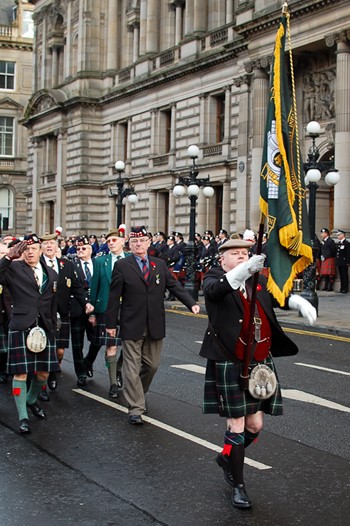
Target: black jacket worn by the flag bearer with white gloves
(225,313)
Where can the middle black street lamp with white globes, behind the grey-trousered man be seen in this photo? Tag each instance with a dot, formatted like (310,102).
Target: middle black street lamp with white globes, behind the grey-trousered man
(193,185)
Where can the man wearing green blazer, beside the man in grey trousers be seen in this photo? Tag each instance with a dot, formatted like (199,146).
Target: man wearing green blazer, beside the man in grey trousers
(99,294)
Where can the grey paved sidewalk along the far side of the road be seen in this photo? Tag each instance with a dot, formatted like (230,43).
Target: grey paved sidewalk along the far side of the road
(333,313)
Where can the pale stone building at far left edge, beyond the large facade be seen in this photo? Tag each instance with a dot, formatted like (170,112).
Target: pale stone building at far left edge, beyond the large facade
(16,52)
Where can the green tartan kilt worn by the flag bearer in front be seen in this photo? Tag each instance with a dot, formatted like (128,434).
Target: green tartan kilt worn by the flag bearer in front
(223,395)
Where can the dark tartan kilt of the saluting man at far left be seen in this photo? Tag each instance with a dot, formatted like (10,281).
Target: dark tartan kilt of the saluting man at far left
(21,360)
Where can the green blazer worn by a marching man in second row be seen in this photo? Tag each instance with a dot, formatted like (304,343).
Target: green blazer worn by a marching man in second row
(101,282)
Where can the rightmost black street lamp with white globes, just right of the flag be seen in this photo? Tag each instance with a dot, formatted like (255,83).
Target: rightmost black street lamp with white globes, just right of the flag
(313,172)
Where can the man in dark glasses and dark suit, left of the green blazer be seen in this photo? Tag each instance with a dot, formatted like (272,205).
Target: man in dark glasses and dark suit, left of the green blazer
(79,319)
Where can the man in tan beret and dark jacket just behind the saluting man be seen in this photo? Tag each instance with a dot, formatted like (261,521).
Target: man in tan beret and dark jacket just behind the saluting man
(68,286)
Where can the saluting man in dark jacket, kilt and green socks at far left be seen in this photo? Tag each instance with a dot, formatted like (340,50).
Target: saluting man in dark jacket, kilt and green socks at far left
(32,285)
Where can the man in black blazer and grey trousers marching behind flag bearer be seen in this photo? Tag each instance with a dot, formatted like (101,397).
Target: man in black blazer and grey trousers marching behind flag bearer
(137,295)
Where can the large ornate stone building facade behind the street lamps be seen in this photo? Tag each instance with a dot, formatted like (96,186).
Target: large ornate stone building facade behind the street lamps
(141,80)
